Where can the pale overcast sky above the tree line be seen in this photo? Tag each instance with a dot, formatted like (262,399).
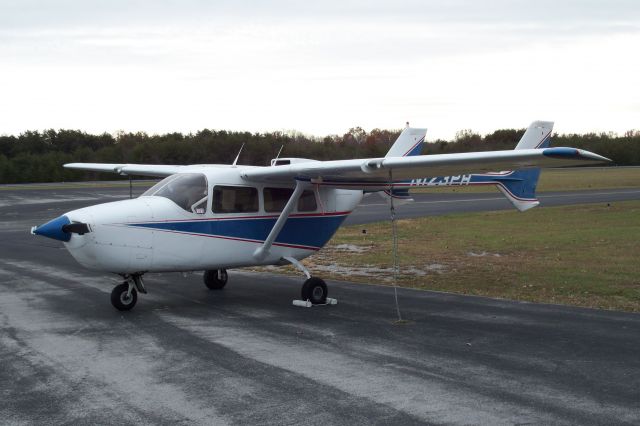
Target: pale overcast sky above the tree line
(319,67)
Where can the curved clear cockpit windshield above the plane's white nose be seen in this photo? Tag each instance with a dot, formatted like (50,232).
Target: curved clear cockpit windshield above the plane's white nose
(187,190)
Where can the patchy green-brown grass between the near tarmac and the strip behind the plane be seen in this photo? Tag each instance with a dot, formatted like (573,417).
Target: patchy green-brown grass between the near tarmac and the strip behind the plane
(586,255)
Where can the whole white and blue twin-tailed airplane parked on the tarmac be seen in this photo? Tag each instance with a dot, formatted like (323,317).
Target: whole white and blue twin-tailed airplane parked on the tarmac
(214,217)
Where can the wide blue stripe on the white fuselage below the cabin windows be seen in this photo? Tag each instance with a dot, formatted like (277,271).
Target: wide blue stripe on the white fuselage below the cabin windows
(314,231)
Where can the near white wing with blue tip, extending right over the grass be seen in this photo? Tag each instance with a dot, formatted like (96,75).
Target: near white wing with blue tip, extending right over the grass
(363,172)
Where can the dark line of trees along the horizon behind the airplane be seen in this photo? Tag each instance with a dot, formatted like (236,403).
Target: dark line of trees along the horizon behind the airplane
(35,156)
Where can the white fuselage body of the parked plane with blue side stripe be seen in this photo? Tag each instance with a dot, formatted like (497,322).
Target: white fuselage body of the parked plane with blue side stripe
(154,234)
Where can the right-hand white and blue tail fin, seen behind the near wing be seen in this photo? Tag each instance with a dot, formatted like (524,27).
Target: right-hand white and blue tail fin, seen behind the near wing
(520,186)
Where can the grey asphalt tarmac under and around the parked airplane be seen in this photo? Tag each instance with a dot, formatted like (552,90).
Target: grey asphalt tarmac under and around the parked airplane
(245,355)
